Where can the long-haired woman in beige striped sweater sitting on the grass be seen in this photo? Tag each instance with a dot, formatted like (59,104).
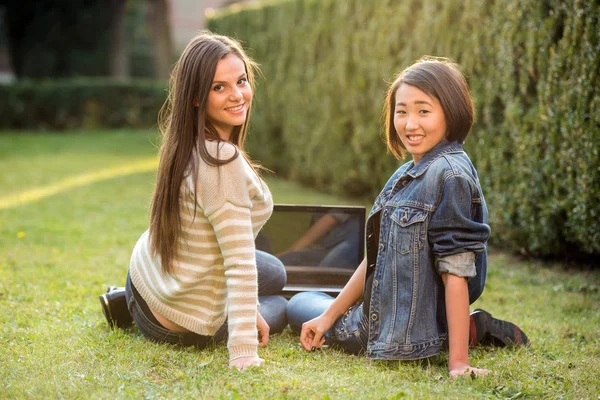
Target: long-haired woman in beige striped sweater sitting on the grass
(195,275)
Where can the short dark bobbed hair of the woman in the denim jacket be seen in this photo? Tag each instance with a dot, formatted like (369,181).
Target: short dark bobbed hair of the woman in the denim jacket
(440,78)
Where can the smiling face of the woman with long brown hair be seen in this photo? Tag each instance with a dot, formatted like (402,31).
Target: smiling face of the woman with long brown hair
(229,97)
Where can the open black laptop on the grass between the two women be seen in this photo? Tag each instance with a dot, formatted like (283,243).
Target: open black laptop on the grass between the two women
(320,246)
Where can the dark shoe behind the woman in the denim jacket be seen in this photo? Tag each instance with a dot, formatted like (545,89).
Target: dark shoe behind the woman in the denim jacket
(486,329)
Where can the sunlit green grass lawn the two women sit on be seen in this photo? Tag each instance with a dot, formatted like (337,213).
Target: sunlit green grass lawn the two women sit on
(58,252)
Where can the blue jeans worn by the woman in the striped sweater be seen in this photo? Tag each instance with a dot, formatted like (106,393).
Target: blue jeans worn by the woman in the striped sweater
(271,280)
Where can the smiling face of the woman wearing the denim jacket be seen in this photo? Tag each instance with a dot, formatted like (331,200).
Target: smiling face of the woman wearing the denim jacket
(419,120)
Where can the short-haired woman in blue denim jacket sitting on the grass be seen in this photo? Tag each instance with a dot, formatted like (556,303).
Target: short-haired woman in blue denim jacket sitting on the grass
(426,239)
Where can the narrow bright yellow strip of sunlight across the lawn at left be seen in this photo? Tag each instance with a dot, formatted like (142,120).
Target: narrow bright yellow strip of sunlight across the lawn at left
(32,195)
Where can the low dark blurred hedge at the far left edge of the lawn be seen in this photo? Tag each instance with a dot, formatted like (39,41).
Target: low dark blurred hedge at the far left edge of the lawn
(80,103)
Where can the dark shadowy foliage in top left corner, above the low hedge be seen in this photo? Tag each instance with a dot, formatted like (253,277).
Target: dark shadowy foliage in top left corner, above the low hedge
(47,39)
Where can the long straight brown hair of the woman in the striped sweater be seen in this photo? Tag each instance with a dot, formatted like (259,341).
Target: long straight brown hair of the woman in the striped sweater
(184,127)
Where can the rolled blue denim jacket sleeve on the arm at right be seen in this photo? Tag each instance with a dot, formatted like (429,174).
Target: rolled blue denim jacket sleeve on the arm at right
(453,228)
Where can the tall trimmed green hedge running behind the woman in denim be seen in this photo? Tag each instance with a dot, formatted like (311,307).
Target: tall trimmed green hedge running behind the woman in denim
(534,68)
